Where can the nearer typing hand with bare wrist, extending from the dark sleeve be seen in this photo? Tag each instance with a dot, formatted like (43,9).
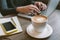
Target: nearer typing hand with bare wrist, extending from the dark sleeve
(27,9)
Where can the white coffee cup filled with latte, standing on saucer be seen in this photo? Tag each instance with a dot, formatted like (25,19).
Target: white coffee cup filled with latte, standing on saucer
(39,22)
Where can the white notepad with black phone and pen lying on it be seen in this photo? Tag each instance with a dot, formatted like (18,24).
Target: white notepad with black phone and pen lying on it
(9,26)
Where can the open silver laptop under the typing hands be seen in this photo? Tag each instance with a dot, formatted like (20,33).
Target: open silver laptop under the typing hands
(52,4)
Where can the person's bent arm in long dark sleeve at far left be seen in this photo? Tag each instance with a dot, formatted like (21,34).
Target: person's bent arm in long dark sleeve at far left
(5,10)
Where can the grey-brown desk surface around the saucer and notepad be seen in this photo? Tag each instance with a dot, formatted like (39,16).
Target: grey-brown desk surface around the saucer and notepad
(54,21)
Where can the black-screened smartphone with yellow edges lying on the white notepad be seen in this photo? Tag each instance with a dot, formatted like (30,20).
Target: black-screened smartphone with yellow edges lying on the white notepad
(8,27)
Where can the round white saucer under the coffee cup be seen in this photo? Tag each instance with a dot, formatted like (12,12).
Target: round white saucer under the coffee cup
(46,33)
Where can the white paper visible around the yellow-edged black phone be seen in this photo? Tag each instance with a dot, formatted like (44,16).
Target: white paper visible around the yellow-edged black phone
(18,26)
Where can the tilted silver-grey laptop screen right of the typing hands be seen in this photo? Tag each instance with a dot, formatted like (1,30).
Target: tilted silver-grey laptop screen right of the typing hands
(51,7)
